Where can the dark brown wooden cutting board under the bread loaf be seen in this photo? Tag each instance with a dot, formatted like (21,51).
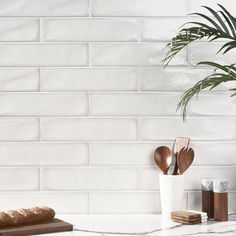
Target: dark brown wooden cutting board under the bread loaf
(52,226)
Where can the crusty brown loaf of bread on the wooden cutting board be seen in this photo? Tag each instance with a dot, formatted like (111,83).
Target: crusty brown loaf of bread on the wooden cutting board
(26,216)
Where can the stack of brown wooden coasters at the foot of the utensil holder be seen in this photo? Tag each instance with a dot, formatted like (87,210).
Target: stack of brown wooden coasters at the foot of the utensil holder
(186,217)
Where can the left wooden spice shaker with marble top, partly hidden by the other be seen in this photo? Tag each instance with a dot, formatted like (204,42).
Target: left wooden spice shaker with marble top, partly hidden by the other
(207,197)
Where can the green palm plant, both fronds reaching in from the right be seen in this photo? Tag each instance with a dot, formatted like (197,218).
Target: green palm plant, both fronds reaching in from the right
(221,26)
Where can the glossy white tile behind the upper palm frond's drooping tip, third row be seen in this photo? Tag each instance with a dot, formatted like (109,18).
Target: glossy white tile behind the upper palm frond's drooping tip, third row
(132,54)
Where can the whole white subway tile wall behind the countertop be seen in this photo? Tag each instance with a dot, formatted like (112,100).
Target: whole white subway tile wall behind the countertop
(84,102)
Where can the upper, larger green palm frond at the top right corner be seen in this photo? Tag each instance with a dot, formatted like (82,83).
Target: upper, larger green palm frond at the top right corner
(222,26)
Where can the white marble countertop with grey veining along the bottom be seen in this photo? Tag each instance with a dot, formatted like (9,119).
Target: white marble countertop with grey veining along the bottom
(149,225)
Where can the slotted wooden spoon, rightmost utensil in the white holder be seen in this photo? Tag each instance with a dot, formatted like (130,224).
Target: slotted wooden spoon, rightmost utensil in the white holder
(184,159)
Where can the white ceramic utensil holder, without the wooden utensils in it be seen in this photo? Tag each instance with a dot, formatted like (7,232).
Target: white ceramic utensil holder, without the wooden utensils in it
(172,193)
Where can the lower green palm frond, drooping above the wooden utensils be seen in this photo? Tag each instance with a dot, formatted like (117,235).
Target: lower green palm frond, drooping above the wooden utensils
(222,74)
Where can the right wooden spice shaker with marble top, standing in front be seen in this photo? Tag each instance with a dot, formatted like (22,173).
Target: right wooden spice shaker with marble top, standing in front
(220,189)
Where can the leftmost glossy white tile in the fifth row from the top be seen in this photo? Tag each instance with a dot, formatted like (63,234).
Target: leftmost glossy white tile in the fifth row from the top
(43,104)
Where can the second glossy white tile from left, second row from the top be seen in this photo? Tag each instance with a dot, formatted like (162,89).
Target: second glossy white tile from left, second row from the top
(90,29)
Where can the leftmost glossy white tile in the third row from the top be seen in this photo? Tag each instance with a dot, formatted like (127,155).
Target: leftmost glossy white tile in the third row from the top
(43,54)
